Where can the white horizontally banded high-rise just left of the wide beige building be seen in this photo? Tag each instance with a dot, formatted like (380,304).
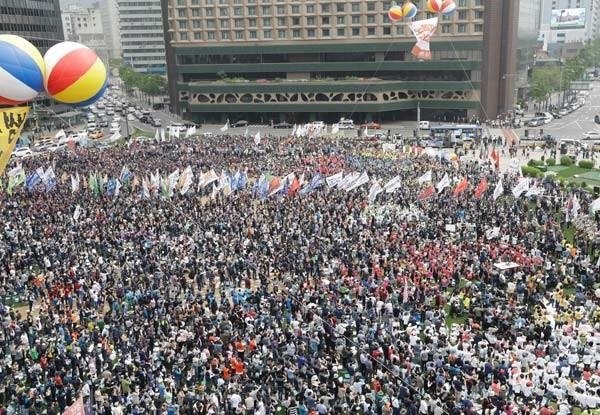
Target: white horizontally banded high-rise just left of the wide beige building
(142,35)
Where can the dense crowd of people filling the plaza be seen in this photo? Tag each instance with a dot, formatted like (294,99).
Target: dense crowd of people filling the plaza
(316,302)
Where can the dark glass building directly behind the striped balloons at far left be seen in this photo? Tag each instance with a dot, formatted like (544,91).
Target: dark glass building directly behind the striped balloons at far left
(37,21)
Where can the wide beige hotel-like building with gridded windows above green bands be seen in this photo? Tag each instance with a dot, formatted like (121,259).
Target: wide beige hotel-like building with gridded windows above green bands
(324,59)
